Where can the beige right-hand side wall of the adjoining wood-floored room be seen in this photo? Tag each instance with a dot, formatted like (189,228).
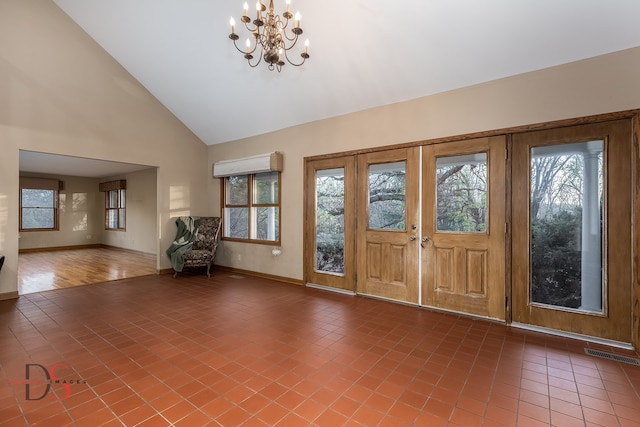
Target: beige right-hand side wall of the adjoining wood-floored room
(141,202)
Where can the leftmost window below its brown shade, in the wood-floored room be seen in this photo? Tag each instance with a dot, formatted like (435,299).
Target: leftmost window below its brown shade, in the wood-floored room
(38,209)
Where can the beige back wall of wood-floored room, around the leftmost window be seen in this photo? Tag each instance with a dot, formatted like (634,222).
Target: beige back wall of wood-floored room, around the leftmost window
(80,210)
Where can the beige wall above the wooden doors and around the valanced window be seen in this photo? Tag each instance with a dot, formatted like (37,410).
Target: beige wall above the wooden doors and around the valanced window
(603,84)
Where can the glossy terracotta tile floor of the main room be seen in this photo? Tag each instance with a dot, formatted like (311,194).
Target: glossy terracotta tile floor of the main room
(192,351)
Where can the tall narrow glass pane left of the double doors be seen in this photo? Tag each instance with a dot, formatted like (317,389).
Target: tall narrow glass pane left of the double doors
(330,221)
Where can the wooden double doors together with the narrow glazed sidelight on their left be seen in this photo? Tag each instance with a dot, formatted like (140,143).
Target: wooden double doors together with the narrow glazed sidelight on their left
(427,225)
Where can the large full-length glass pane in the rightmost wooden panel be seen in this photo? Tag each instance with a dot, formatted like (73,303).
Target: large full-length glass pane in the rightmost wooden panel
(566,226)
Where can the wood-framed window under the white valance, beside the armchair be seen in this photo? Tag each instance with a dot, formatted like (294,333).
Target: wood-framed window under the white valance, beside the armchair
(252,207)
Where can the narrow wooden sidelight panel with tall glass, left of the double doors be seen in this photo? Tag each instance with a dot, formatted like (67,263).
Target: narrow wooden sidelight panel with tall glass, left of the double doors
(330,223)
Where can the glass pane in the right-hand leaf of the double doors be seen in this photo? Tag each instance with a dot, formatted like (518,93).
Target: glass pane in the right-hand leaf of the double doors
(461,193)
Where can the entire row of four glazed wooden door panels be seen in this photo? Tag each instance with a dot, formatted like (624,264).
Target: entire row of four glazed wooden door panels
(534,228)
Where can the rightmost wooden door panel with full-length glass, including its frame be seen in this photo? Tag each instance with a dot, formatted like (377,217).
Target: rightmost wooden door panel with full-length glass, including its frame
(572,229)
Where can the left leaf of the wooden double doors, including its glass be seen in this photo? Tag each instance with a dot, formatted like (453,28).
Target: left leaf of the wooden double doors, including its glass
(387,224)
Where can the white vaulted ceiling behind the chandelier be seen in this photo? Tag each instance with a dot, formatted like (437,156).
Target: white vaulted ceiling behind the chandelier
(364,53)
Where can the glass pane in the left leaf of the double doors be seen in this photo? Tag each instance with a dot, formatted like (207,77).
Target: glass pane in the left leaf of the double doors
(387,189)
